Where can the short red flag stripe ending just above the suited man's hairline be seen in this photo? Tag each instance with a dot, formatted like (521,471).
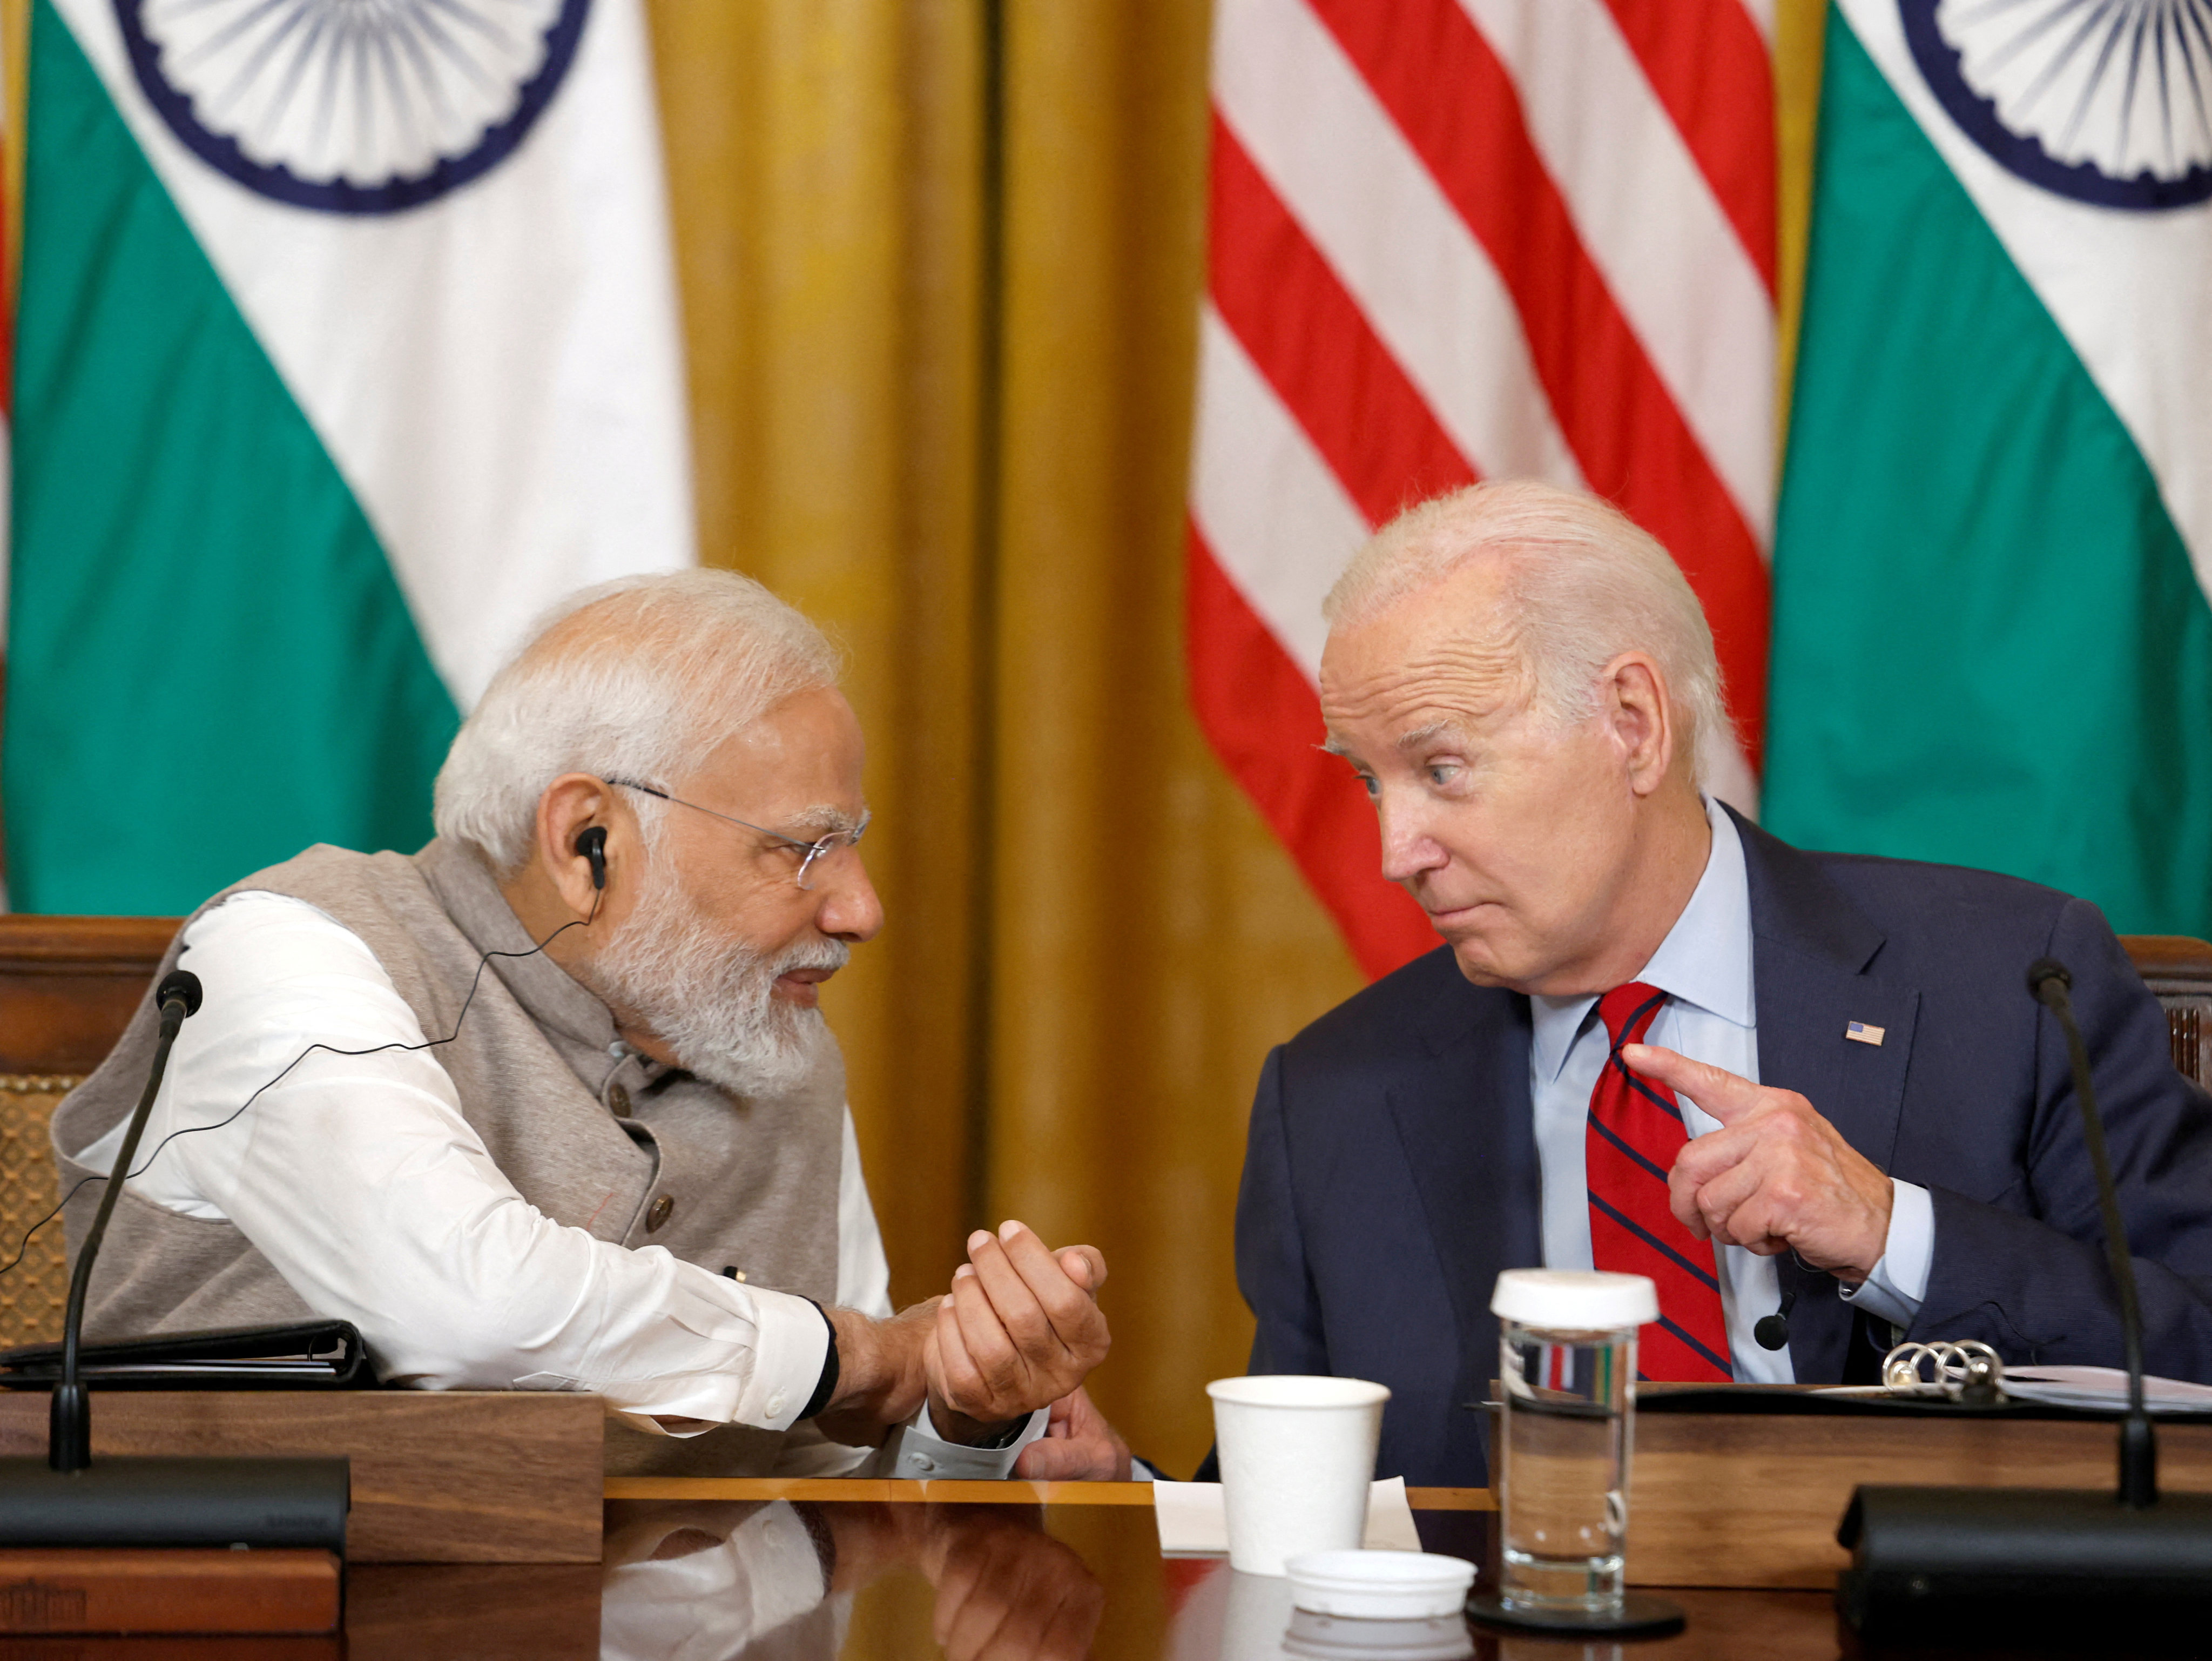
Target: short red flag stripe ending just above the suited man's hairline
(1308,339)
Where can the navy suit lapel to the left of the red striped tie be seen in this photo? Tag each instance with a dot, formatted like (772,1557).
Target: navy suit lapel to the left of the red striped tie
(1470,1140)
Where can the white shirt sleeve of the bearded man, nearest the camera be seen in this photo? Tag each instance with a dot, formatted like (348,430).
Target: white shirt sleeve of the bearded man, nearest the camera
(371,1193)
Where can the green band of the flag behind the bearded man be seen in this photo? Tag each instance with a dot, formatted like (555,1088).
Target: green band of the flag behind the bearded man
(211,662)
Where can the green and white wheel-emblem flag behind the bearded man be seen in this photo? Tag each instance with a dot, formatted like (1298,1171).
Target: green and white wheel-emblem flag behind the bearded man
(348,339)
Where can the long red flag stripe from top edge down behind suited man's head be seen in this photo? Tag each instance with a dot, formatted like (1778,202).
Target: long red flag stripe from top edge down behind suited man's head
(1618,415)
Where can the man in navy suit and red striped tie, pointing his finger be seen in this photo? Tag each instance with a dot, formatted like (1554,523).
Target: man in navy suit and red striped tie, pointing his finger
(1662,1041)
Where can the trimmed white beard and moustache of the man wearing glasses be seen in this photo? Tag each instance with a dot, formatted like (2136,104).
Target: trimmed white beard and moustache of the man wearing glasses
(707,999)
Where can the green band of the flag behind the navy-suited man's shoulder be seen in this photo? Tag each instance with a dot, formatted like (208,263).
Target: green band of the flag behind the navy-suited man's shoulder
(1990,647)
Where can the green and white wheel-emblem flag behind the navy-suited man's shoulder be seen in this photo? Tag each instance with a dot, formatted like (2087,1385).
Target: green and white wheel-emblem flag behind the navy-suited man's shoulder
(1992,640)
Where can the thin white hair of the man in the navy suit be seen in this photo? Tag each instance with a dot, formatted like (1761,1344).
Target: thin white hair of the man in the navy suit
(1583,585)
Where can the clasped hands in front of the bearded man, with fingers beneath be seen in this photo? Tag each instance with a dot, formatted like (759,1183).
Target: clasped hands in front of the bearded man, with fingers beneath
(1019,1330)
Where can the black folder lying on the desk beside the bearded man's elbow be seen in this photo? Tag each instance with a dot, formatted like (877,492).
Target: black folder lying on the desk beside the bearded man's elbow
(313,1355)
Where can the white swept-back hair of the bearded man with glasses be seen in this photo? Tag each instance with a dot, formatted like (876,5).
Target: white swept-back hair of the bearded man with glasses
(640,678)
